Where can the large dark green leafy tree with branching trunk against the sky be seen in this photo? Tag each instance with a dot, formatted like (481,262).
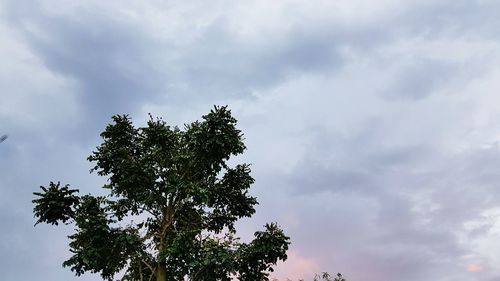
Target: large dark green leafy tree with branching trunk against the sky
(172,204)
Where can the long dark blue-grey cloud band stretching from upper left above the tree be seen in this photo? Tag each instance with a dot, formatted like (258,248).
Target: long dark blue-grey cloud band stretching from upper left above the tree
(120,66)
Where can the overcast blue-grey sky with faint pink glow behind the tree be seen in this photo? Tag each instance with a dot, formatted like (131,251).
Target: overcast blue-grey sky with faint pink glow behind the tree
(373,127)
